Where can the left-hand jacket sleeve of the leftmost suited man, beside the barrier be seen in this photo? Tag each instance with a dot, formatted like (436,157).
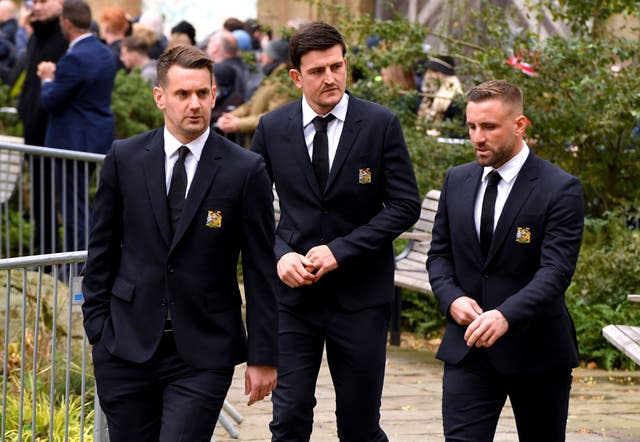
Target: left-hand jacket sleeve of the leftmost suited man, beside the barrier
(104,249)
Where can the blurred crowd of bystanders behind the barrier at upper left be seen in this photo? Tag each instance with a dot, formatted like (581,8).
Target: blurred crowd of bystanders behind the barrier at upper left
(64,96)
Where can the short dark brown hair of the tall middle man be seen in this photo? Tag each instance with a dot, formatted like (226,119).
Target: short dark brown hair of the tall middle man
(316,36)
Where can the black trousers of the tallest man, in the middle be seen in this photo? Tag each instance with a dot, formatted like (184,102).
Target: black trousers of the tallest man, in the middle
(356,353)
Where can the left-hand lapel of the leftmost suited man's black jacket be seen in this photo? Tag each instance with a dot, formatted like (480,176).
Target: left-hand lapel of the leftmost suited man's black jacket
(154,166)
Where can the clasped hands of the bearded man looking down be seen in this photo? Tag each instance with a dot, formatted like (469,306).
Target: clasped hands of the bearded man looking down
(483,328)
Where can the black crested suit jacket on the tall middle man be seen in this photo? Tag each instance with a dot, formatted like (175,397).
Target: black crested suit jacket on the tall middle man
(370,198)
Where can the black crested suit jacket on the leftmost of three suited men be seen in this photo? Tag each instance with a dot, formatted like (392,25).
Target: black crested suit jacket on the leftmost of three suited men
(136,270)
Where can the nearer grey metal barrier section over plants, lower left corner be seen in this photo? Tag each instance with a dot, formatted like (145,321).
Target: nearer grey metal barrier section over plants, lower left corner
(46,391)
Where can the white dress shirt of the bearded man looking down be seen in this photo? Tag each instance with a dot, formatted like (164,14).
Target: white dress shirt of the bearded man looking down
(508,172)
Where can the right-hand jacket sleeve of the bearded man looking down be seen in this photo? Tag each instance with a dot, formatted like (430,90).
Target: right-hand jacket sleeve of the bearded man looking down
(560,248)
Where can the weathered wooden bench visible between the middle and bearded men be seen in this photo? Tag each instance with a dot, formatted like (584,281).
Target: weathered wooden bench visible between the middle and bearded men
(411,271)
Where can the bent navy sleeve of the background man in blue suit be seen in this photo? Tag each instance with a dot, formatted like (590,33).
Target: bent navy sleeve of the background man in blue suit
(57,94)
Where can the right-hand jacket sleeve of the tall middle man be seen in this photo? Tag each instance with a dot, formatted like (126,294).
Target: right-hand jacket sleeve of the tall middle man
(401,199)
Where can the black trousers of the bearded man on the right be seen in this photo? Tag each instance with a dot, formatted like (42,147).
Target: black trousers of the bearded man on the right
(474,394)
